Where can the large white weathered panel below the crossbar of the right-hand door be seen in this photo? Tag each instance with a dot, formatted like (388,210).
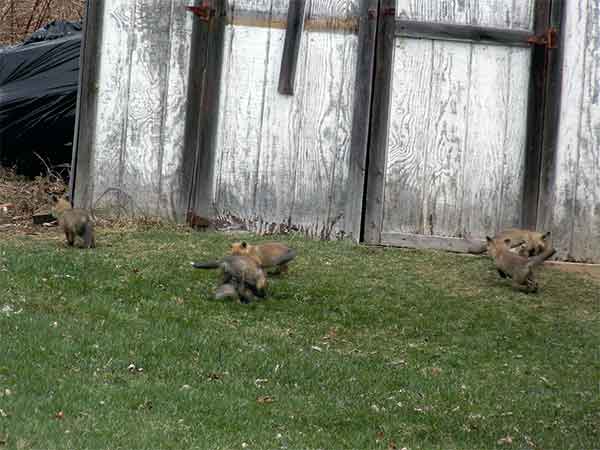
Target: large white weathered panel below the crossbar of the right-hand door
(456,140)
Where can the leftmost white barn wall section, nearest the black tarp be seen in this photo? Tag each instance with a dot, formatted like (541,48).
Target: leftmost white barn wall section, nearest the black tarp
(136,151)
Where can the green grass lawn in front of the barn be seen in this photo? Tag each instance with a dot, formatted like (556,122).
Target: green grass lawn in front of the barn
(356,348)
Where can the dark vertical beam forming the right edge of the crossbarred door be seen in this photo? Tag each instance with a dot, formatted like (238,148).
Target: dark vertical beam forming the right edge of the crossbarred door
(535,116)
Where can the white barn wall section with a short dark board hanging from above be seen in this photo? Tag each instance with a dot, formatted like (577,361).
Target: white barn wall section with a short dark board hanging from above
(283,160)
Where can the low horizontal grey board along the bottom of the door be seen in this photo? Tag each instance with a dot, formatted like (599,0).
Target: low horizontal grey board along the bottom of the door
(419,241)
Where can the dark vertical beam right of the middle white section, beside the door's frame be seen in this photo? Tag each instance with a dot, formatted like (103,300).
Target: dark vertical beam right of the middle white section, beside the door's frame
(361,118)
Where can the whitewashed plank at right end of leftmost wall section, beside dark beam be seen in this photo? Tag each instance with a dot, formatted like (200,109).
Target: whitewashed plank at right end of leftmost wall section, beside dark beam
(173,193)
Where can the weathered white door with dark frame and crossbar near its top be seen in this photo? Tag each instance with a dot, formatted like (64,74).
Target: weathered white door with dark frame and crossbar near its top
(451,148)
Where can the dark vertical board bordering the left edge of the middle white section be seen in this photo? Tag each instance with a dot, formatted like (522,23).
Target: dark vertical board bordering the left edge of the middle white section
(201,202)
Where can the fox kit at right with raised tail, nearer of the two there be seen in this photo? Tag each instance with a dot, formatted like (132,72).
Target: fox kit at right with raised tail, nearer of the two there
(514,266)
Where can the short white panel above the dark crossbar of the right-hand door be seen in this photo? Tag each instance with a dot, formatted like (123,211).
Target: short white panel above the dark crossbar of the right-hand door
(492,13)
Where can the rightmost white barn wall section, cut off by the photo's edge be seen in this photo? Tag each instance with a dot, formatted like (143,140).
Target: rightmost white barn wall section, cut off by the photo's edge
(572,208)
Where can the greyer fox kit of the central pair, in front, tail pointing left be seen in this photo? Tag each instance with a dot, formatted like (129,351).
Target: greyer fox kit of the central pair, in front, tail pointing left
(242,277)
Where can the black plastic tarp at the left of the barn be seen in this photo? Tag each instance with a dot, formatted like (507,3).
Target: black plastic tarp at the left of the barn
(38,95)
